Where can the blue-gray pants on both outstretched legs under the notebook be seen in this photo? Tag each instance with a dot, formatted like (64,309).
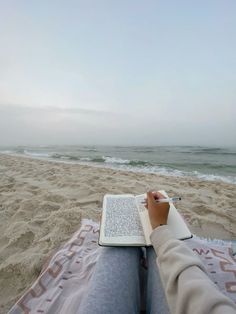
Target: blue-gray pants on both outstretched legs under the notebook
(118,281)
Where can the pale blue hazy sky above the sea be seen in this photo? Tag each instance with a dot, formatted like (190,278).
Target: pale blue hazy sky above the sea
(127,72)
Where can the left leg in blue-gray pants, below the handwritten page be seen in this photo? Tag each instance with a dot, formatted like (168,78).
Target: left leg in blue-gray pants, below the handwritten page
(114,286)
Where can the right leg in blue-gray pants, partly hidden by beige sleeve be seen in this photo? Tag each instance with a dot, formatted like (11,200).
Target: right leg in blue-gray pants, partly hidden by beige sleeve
(156,300)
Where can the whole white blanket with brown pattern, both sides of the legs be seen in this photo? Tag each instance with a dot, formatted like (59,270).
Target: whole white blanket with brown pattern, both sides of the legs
(64,281)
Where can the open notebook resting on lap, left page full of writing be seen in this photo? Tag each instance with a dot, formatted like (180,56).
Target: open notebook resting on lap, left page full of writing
(125,221)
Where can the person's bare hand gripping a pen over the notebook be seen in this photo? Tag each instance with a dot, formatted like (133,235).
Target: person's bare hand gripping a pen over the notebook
(158,212)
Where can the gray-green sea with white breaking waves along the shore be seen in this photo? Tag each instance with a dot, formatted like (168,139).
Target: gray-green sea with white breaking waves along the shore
(206,163)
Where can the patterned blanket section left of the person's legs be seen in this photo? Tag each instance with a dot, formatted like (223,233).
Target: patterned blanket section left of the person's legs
(64,281)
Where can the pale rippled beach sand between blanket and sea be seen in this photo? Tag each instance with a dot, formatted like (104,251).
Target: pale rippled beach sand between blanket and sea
(42,203)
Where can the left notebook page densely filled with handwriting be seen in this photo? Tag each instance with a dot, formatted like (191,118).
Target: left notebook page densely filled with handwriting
(120,221)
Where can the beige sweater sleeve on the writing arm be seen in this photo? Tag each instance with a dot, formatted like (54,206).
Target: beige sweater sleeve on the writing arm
(187,287)
